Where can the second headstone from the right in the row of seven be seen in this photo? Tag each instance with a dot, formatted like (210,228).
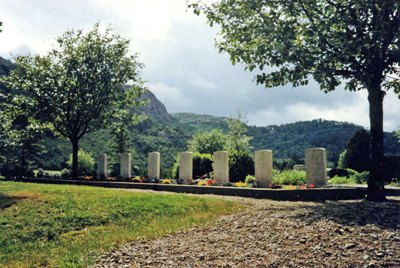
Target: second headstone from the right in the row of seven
(263,168)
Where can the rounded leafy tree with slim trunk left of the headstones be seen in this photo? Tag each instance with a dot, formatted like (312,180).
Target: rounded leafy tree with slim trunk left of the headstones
(78,87)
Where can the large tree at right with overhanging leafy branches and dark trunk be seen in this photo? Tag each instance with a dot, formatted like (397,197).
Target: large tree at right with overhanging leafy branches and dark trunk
(355,42)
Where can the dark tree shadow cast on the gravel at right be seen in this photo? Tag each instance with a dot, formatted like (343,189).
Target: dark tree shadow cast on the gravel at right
(385,215)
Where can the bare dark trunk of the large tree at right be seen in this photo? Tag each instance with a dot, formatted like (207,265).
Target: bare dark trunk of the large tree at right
(376,191)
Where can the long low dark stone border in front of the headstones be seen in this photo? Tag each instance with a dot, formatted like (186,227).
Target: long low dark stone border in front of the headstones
(345,193)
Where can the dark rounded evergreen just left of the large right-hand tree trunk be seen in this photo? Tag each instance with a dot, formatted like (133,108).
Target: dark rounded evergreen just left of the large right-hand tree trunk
(357,156)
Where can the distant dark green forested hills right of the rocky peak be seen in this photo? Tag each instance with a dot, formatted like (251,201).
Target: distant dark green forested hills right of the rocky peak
(290,140)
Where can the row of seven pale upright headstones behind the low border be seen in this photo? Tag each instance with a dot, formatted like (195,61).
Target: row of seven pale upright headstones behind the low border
(315,160)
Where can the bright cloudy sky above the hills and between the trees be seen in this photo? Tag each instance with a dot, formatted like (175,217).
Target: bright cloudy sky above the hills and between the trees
(182,66)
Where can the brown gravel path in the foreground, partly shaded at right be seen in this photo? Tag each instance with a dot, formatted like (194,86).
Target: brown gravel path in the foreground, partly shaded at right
(278,234)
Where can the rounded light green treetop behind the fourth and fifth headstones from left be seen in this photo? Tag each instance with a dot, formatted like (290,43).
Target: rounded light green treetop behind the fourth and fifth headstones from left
(208,142)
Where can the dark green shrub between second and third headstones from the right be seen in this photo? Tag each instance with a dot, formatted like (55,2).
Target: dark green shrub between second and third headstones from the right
(240,165)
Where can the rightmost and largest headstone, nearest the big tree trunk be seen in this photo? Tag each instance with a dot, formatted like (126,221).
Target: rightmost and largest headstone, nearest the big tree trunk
(315,159)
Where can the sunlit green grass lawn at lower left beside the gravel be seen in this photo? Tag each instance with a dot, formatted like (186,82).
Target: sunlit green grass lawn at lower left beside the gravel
(68,226)
